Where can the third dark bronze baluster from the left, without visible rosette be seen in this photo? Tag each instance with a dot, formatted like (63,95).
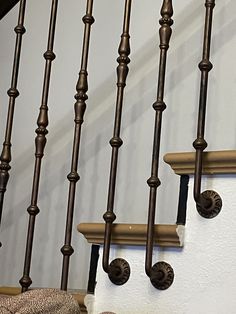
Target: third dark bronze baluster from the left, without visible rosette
(73,176)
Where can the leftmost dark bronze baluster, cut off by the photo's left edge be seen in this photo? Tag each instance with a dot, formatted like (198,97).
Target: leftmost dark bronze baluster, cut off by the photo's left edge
(13,93)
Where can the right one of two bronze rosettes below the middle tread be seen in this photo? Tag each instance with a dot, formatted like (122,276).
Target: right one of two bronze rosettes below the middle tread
(162,275)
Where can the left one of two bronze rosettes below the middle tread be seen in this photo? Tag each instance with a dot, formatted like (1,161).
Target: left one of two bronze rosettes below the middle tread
(119,271)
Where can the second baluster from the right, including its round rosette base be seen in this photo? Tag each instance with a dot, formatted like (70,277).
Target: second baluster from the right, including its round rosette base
(161,273)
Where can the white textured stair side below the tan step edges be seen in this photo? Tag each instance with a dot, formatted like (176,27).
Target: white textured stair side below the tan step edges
(205,269)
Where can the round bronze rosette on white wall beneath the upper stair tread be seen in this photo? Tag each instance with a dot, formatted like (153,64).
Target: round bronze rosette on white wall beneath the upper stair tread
(214,207)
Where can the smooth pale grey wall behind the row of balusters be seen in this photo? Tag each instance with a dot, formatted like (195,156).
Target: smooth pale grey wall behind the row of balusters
(179,120)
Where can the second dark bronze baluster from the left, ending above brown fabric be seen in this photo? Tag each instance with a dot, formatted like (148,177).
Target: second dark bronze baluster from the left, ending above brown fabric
(40,142)
